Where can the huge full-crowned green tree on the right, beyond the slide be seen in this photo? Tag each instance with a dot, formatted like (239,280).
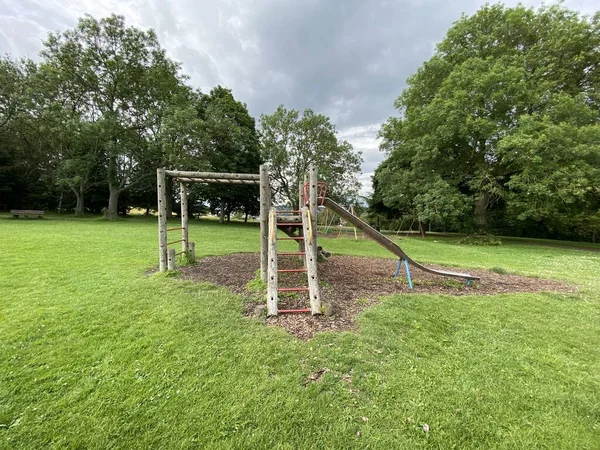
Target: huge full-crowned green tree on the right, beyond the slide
(472,113)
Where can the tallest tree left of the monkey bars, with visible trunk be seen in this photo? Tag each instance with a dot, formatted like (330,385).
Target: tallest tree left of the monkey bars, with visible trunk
(119,78)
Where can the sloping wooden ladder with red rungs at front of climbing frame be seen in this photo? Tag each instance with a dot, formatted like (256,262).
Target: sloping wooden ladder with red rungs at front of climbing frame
(300,220)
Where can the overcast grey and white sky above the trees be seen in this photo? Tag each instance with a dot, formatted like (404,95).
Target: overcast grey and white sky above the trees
(348,59)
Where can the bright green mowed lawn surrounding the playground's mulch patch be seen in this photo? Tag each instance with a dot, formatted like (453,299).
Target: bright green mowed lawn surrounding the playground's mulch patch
(95,354)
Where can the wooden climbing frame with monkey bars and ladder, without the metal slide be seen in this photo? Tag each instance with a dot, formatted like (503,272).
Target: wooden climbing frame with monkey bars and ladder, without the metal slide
(300,226)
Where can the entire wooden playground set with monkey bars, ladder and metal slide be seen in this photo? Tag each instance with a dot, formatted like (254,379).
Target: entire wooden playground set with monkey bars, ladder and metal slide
(299,226)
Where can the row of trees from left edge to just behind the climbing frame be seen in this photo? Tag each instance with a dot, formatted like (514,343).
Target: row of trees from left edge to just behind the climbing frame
(86,128)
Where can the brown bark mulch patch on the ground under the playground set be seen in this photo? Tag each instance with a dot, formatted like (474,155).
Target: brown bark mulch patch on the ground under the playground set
(350,284)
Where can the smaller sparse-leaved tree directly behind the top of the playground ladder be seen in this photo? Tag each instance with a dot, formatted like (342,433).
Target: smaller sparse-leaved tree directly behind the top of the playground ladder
(291,141)
